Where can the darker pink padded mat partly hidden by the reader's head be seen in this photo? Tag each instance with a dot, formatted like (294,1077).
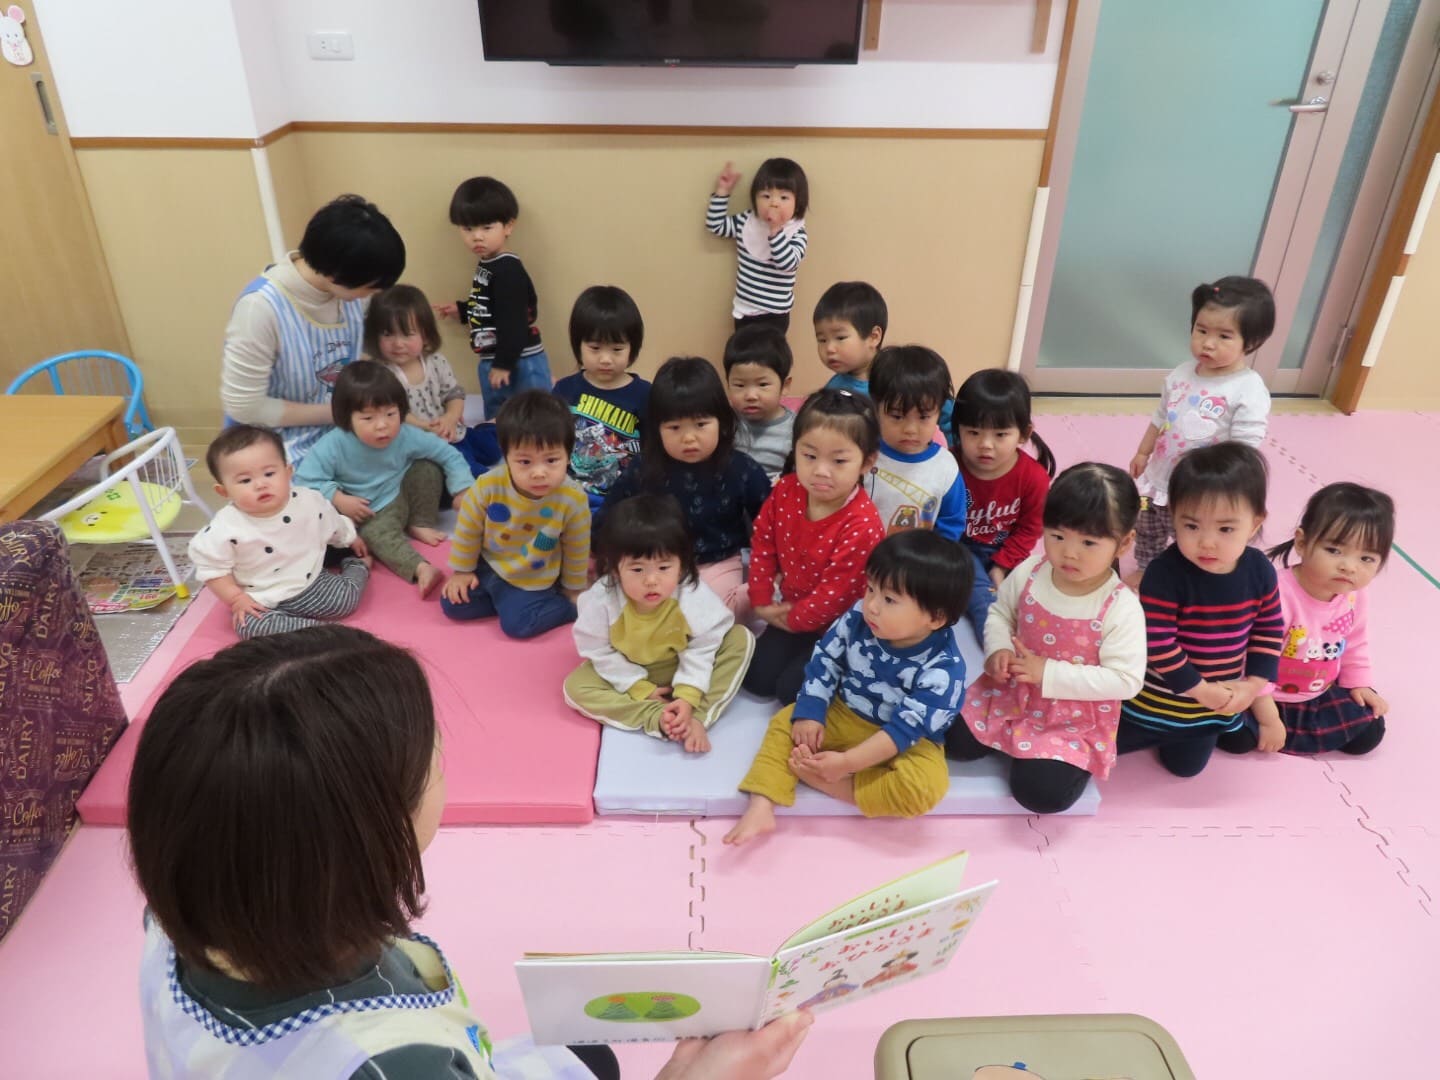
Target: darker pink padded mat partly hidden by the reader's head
(492,721)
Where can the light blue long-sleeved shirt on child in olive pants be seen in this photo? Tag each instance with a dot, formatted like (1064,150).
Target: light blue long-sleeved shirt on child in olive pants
(339,462)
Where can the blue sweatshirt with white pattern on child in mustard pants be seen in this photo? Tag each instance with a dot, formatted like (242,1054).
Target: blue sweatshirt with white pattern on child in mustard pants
(911,693)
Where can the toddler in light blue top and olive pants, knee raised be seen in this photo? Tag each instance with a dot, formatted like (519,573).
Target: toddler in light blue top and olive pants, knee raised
(385,474)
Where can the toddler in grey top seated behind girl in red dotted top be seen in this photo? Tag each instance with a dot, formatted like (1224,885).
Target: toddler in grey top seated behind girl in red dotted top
(758,365)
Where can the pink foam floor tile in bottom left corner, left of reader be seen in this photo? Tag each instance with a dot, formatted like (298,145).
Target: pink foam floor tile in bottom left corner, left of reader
(78,941)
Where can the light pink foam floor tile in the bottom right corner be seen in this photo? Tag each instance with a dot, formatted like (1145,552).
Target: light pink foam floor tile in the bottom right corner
(1266,955)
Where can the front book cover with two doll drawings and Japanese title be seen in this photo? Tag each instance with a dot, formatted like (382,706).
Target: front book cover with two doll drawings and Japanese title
(873,957)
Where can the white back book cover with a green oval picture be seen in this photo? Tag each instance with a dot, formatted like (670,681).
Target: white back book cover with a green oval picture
(642,999)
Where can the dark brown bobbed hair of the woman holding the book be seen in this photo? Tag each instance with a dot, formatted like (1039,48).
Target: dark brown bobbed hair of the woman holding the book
(271,806)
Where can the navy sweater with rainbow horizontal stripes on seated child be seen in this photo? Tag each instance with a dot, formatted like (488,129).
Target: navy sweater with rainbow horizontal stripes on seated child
(1202,626)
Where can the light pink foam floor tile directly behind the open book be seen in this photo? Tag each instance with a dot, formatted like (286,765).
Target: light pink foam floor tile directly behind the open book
(1020,958)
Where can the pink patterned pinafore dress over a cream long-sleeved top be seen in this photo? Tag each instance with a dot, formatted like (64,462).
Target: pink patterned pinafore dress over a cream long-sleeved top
(1014,719)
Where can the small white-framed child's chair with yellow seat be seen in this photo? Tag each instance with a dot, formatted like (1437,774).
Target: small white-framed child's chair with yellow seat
(142,499)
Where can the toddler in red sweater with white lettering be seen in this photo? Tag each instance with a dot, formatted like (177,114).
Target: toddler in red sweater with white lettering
(1007,487)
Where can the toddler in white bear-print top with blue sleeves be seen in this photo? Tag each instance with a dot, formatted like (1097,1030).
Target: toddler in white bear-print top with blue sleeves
(915,482)
